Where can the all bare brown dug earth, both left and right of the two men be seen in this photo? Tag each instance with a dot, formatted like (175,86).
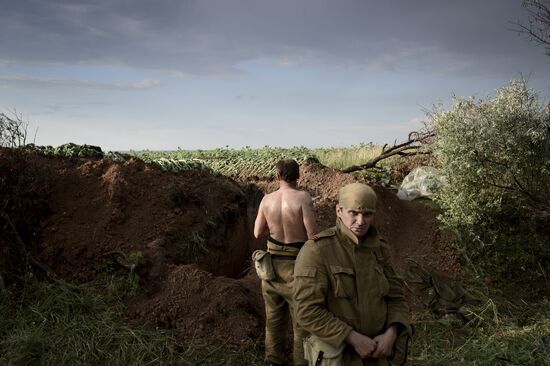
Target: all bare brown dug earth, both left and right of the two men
(189,236)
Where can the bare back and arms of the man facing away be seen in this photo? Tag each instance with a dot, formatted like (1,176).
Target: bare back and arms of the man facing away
(286,215)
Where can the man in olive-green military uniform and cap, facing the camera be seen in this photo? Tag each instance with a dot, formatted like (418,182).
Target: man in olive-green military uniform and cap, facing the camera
(346,292)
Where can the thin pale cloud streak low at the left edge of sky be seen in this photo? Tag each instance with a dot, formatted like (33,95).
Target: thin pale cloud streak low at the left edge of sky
(37,81)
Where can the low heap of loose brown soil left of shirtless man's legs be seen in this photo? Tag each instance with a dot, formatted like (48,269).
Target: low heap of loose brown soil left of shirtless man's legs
(198,303)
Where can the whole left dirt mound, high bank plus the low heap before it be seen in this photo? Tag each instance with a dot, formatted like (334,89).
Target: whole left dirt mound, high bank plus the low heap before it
(189,229)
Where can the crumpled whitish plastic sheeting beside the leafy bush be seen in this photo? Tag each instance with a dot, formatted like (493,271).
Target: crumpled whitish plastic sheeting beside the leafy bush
(422,181)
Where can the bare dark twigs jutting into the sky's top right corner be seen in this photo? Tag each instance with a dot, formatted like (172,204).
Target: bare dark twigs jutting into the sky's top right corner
(538,27)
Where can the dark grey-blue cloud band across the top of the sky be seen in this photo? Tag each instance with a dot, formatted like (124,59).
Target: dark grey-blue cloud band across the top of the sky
(214,36)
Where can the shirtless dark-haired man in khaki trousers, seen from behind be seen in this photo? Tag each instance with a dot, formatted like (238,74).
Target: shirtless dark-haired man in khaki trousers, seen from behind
(286,217)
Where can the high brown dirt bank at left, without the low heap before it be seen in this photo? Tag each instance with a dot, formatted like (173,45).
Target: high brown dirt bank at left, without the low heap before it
(100,207)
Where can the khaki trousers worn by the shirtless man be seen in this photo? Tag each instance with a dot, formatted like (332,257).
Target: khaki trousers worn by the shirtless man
(277,296)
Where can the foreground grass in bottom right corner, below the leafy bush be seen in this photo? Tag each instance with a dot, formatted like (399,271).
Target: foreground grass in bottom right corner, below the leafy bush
(500,333)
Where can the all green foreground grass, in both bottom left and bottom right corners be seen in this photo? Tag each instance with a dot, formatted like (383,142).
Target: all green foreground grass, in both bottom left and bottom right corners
(55,324)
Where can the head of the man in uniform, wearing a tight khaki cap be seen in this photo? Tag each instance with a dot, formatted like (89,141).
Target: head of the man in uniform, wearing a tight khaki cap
(356,207)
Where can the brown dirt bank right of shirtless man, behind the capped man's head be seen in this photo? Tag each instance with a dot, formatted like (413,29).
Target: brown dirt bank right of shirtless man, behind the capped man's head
(411,228)
